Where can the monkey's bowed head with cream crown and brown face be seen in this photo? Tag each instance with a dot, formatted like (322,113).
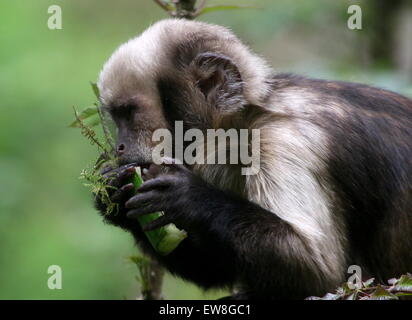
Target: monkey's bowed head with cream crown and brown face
(177,70)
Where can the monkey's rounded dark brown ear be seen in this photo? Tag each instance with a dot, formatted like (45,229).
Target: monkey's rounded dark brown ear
(214,72)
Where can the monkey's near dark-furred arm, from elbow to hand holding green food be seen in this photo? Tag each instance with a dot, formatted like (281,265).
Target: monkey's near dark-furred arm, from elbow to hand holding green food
(230,239)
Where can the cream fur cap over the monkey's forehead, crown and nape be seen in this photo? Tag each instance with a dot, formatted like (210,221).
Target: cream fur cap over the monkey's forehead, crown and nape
(134,66)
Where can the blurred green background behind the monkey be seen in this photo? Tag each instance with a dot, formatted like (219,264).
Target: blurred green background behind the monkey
(46,215)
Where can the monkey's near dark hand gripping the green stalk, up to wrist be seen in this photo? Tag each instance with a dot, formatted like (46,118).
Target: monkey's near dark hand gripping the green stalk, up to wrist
(178,193)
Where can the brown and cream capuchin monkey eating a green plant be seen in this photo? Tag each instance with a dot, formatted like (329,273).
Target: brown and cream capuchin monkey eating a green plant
(334,187)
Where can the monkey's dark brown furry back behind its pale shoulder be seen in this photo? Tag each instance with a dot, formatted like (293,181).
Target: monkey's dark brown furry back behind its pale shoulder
(369,164)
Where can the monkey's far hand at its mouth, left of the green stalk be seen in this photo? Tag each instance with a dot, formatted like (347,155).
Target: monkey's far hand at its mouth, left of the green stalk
(119,189)
